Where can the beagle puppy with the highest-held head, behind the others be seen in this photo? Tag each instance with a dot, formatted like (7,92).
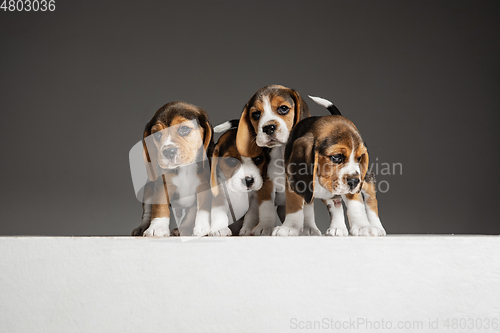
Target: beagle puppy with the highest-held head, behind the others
(266,121)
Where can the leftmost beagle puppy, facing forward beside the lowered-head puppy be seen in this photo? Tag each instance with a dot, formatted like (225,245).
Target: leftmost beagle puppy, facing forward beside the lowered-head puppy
(177,142)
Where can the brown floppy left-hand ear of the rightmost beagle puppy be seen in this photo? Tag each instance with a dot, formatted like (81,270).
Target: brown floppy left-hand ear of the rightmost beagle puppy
(301,167)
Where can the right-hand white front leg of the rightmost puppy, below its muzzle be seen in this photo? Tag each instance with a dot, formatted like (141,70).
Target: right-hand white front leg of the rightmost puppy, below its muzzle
(358,220)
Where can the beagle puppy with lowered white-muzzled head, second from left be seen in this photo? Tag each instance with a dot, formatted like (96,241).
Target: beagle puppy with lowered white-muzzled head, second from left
(235,180)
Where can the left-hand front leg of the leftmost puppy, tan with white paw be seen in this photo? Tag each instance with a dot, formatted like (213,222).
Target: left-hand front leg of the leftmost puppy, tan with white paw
(160,212)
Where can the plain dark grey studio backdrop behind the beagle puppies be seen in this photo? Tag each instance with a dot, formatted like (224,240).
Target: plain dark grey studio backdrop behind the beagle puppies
(420,79)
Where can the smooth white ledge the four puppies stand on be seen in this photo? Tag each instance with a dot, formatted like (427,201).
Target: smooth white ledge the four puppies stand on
(263,284)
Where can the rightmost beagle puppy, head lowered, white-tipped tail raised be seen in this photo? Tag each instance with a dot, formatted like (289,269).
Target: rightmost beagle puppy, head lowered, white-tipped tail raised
(326,158)
